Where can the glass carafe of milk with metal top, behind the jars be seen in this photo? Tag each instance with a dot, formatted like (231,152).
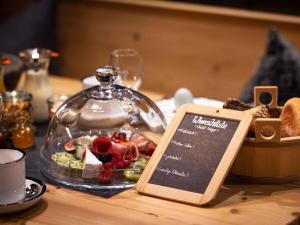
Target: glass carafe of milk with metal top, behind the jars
(36,80)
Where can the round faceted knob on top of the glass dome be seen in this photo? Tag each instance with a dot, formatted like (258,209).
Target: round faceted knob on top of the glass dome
(106,75)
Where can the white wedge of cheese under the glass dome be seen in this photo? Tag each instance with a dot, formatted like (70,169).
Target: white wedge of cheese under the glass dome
(91,166)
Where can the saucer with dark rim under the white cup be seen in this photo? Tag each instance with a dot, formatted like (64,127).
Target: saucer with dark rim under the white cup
(32,184)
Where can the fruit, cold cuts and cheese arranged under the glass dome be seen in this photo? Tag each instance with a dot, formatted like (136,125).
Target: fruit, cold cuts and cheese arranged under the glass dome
(99,157)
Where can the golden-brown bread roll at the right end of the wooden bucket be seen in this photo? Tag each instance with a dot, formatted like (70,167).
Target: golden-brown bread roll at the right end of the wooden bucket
(290,118)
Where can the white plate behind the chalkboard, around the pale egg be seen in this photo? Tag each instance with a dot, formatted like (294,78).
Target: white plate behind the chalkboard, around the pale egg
(168,108)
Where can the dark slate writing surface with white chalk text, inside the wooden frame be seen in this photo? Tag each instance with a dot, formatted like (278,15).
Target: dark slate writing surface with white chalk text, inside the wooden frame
(194,152)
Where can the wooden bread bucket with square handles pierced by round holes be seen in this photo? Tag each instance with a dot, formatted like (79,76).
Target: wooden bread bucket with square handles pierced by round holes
(268,159)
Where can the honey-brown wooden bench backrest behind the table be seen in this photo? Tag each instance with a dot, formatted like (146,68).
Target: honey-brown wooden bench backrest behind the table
(212,51)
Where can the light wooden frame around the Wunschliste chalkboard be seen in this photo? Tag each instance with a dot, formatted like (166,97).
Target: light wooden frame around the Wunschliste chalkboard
(145,187)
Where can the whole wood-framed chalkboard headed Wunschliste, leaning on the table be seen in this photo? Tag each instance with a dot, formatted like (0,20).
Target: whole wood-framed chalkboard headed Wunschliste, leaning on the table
(195,154)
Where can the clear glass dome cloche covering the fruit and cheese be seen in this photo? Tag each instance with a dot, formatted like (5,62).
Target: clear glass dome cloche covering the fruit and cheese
(102,137)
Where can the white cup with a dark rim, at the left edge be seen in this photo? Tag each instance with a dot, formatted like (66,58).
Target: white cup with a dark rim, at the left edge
(12,176)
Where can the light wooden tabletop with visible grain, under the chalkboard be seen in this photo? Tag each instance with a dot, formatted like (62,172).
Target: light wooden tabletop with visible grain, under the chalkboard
(235,204)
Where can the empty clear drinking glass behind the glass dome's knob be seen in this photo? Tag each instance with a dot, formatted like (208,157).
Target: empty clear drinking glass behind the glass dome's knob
(129,66)
